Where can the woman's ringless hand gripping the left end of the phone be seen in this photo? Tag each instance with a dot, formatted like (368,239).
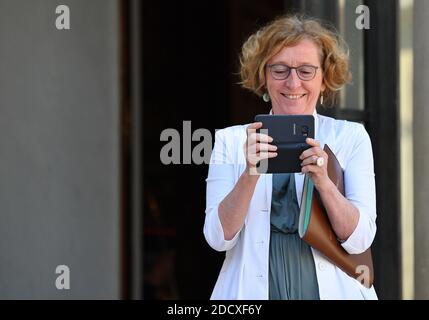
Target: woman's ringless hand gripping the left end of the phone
(257,147)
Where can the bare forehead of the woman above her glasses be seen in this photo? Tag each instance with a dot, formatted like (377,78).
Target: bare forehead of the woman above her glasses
(306,51)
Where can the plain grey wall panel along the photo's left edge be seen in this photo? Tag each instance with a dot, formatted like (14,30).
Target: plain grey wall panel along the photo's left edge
(59,149)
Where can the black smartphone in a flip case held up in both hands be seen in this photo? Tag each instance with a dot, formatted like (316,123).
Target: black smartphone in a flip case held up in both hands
(289,133)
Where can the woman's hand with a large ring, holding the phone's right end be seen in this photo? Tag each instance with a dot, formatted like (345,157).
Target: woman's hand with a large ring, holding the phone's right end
(309,157)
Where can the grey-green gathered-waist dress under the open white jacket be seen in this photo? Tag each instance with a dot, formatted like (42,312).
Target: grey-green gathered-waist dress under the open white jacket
(292,274)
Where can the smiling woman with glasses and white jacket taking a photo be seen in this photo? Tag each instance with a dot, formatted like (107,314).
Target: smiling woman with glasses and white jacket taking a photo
(293,63)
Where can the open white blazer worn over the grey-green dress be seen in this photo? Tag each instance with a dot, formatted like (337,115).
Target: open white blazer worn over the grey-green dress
(244,273)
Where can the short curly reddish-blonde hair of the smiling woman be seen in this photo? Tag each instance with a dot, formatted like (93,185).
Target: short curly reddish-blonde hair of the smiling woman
(288,31)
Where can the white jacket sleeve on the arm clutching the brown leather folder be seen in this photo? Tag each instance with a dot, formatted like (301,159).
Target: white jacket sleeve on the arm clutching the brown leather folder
(359,183)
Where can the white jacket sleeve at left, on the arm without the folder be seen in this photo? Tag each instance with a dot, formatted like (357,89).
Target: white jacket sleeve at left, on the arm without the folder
(220,181)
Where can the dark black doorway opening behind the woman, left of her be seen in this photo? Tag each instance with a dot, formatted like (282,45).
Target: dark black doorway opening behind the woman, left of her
(189,63)
